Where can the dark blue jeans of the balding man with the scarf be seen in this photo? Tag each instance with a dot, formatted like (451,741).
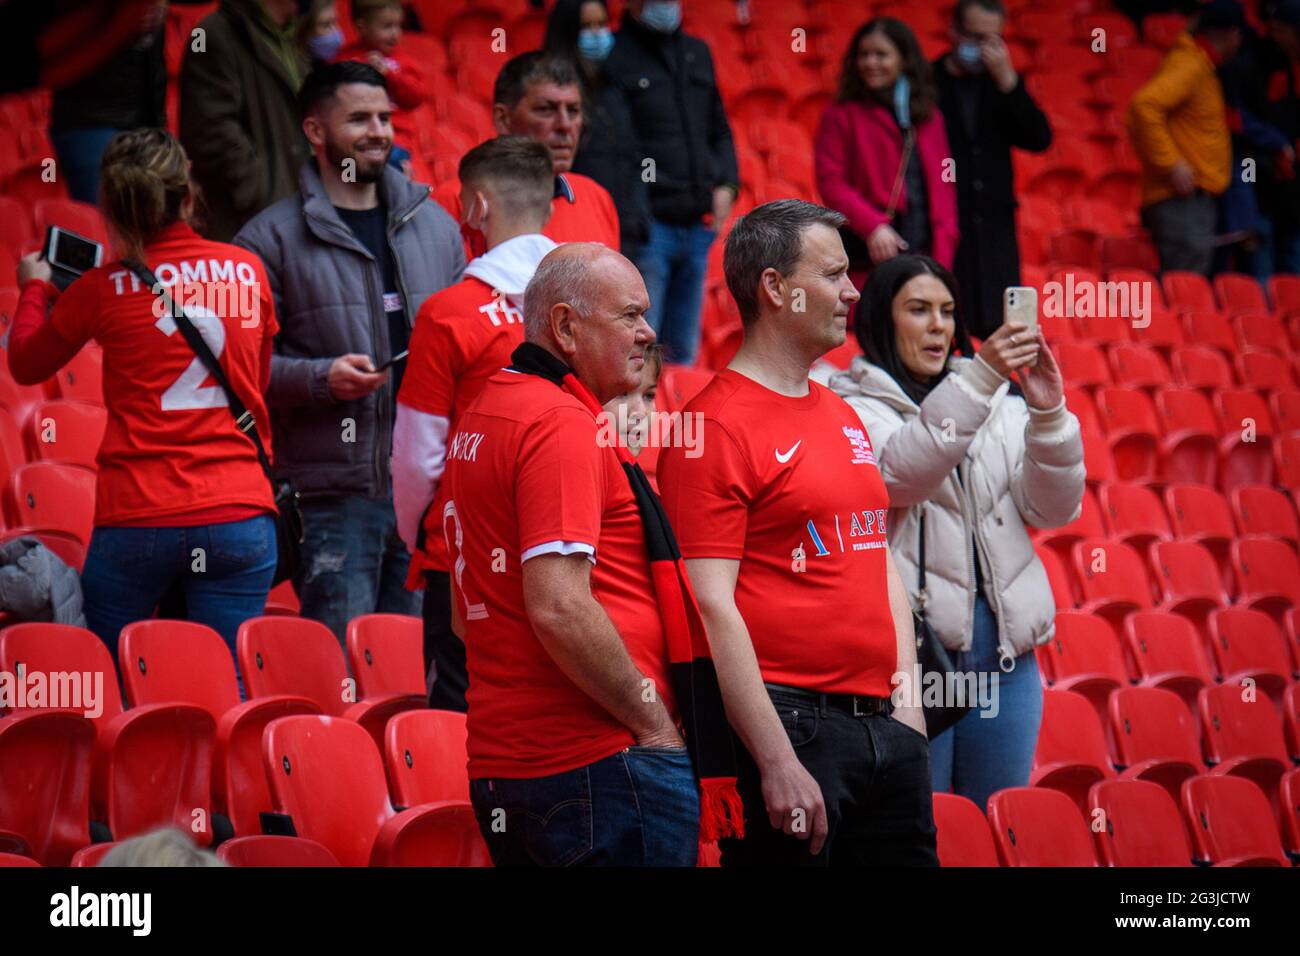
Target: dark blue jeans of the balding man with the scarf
(636,808)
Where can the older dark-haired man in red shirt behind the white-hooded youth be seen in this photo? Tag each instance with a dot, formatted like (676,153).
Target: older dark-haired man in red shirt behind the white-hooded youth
(540,97)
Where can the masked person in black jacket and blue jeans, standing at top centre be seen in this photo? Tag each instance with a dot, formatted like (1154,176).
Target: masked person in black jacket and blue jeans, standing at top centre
(686,148)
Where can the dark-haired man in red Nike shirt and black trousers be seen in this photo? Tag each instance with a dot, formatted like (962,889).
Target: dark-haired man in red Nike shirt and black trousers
(782,520)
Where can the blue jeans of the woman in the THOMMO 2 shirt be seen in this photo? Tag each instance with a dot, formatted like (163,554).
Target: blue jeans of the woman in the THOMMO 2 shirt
(227,572)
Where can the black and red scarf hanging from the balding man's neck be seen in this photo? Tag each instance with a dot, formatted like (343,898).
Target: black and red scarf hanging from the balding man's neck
(695,682)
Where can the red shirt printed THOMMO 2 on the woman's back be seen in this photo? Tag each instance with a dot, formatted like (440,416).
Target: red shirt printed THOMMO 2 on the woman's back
(171,447)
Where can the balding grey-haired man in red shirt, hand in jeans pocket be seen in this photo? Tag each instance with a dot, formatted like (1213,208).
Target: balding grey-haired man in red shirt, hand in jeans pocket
(573,729)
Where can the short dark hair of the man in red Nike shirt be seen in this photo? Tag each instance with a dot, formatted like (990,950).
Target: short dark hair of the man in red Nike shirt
(769,237)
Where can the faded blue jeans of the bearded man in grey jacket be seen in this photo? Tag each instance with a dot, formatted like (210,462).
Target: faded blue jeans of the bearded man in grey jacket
(353,563)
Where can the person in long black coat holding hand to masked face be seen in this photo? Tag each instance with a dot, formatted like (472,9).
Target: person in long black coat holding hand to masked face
(987,113)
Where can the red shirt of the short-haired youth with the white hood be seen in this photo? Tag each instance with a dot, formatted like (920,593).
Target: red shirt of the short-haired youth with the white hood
(463,336)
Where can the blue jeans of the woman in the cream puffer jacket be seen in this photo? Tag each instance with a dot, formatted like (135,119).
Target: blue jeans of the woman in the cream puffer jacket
(980,756)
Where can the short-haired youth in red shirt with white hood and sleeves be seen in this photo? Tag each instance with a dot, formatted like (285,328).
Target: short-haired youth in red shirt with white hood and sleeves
(463,336)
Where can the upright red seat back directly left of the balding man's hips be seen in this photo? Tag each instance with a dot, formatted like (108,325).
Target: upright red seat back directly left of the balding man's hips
(426,758)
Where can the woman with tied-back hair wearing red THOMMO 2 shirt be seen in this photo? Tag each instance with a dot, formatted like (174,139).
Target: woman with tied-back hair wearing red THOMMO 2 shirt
(181,498)
